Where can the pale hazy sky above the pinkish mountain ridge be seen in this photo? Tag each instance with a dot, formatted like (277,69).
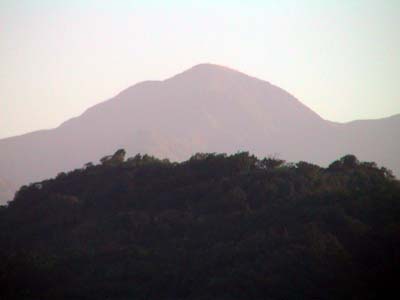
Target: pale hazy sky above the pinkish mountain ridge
(57,58)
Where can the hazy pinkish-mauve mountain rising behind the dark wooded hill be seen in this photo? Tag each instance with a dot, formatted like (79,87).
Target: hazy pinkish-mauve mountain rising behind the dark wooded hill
(207,108)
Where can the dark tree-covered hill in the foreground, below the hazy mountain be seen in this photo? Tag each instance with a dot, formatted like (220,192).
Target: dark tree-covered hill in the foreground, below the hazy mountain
(212,227)
